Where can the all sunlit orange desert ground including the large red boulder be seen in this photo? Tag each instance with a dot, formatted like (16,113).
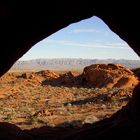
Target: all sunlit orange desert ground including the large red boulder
(65,98)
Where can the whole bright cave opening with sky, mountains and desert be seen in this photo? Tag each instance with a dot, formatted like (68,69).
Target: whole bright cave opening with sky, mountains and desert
(63,101)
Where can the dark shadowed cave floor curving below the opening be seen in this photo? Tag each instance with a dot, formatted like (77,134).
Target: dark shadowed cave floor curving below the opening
(124,124)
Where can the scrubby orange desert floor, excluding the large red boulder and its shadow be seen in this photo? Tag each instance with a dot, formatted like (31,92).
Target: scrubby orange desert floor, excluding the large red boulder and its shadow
(29,102)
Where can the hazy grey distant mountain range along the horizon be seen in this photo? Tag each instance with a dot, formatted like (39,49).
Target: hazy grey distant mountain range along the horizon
(69,63)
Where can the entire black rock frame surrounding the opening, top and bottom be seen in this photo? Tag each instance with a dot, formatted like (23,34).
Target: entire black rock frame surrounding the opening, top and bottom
(24,24)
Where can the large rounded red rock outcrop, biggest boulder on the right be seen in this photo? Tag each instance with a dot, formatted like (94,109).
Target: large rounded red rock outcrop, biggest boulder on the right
(109,76)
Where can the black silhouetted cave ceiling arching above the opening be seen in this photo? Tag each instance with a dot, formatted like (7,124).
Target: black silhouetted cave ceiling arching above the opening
(23,24)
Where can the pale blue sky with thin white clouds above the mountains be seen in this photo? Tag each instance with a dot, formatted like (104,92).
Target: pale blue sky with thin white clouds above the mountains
(90,38)
